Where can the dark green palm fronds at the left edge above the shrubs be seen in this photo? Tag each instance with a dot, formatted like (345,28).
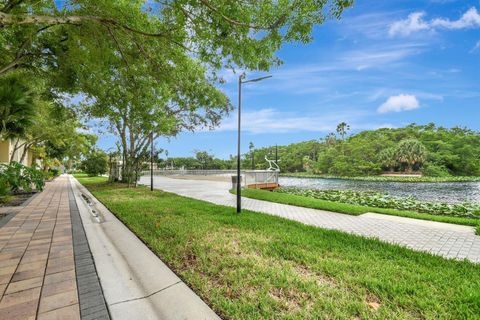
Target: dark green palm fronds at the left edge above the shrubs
(17,108)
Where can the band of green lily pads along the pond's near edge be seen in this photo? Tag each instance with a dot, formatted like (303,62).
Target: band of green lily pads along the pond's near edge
(383,200)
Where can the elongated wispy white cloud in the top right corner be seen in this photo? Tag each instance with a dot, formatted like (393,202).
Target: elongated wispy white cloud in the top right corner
(415,23)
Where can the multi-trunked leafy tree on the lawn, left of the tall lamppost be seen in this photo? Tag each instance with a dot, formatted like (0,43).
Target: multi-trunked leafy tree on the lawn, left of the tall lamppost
(178,99)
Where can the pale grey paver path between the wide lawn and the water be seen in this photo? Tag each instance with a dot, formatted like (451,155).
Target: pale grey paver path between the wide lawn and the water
(447,240)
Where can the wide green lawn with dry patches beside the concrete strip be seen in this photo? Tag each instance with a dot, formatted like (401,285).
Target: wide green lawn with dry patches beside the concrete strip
(256,266)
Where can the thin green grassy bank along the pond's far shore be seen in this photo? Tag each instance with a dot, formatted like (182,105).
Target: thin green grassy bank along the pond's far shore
(385,179)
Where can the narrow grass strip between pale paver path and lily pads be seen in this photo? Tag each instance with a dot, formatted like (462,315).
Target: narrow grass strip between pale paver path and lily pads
(347,208)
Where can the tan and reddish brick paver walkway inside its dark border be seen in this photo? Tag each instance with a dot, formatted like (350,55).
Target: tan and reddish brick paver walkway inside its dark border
(37,265)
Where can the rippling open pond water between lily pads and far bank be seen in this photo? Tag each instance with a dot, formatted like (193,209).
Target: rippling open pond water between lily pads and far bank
(450,192)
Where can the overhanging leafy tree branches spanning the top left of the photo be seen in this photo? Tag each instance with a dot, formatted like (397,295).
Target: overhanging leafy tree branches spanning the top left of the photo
(63,34)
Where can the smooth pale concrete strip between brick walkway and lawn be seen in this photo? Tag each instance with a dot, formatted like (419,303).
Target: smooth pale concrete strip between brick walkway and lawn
(136,283)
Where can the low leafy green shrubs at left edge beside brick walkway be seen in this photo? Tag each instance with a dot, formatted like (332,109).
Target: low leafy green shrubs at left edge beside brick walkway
(15,177)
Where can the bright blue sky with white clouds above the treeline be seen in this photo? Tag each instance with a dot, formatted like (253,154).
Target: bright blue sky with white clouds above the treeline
(384,64)
